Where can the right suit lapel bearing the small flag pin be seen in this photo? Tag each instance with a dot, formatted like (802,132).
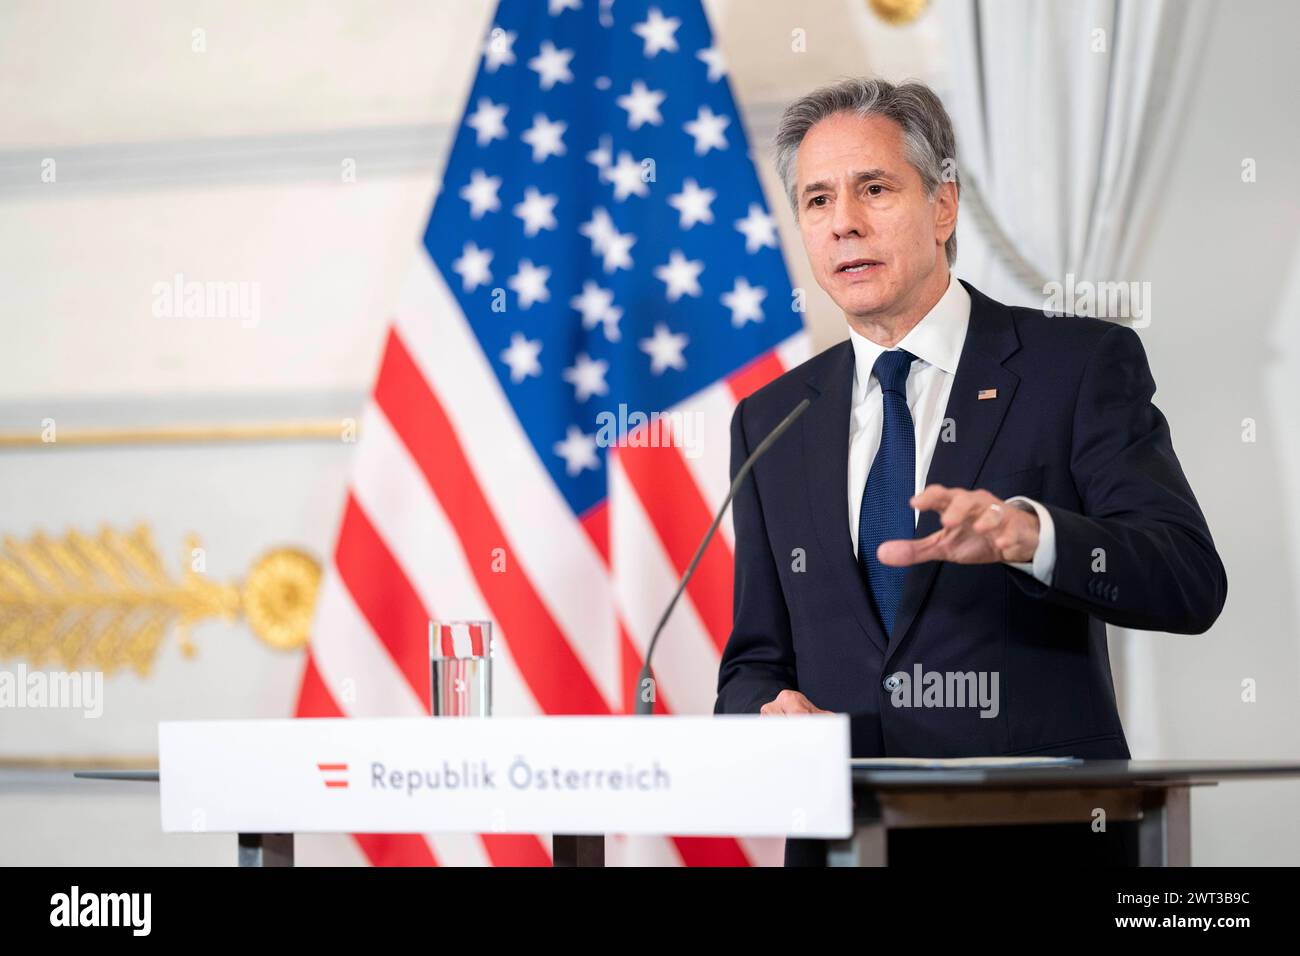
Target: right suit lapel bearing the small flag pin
(990,340)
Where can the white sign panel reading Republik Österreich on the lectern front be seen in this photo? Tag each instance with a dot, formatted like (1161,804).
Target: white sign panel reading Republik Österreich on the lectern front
(727,776)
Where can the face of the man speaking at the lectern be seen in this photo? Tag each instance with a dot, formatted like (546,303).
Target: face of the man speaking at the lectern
(872,233)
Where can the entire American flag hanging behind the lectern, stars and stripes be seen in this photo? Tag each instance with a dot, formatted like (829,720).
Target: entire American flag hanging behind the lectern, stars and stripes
(600,250)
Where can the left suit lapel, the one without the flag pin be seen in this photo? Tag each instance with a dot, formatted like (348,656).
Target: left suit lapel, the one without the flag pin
(826,457)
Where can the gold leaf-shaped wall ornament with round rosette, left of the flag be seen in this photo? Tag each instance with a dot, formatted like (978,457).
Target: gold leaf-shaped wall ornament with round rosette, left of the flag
(107,602)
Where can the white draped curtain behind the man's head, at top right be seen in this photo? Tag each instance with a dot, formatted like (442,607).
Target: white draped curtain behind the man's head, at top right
(1065,115)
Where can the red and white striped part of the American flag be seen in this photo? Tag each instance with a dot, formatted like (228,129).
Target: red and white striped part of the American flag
(452,516)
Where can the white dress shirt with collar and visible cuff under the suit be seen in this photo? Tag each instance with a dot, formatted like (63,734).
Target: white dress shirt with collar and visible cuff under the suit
(937,341)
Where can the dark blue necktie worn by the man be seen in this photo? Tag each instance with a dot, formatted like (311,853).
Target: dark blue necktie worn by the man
(886,514)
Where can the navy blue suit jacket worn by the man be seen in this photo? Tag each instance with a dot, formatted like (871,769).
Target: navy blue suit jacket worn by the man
(1072,427)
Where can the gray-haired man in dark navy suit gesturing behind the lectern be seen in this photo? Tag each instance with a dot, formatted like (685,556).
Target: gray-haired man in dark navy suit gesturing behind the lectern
(976,492)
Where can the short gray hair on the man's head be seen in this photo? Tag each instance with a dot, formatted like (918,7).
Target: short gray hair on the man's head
(928,131)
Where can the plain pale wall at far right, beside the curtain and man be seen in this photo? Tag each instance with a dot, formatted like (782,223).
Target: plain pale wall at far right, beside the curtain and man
(1224,262)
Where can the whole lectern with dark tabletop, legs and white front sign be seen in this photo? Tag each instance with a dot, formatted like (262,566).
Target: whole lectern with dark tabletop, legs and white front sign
(725,776)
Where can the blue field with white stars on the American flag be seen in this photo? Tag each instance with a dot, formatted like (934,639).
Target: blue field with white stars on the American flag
(601,223)
